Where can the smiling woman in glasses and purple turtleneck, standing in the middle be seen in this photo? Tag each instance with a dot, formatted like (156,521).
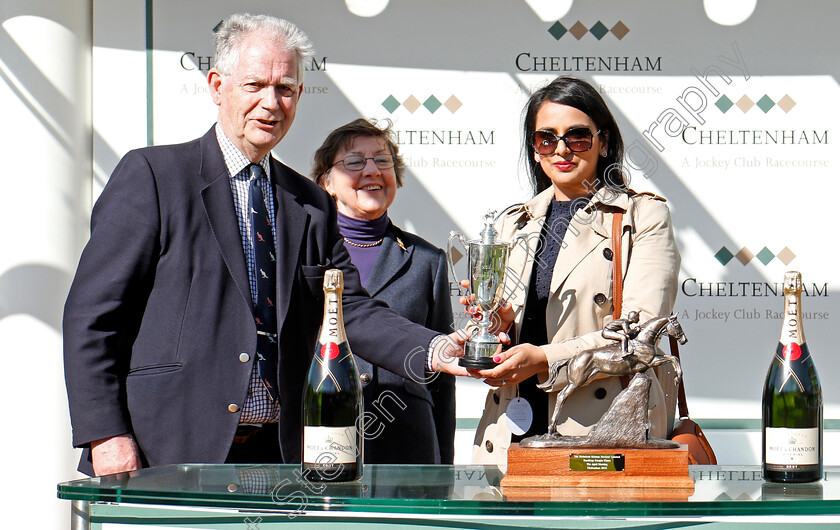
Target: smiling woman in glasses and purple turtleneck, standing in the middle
(360,166)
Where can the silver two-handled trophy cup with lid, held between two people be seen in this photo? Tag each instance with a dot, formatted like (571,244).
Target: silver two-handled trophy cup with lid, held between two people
(486,265)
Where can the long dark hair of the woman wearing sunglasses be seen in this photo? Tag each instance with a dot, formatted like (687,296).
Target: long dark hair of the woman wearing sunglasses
(582,96)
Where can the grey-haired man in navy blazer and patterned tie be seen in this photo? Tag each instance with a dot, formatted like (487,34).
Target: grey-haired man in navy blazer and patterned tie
(193,315)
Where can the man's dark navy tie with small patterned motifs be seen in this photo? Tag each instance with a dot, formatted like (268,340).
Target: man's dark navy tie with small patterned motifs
(265,263)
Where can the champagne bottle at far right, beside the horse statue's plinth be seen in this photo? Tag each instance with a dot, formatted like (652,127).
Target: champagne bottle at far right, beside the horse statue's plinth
(792,404)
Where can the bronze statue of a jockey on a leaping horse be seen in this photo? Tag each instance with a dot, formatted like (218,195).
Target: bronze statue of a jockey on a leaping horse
(633,353)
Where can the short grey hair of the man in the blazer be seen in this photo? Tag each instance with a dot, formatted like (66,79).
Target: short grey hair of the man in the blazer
(232,31)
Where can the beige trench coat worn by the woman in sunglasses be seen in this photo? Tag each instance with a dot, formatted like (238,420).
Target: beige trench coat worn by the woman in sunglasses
(580,304)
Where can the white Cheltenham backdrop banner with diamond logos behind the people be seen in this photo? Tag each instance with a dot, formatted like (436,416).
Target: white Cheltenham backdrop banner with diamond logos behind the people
(728,110)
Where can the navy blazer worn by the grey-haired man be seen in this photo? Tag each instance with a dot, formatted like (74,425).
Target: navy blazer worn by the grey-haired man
(160,313)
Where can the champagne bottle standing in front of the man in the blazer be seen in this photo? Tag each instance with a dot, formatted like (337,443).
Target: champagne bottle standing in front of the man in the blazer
(332,399)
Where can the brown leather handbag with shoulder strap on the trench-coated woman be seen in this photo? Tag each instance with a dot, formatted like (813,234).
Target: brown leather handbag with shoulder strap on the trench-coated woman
(686,431)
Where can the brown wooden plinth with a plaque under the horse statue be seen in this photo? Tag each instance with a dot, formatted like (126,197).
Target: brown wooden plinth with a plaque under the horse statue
(551,467)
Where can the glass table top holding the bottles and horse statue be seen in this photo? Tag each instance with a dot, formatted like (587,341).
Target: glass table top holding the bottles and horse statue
(718,490)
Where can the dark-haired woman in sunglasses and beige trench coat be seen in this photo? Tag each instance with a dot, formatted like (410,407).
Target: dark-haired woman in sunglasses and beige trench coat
(559,307)
